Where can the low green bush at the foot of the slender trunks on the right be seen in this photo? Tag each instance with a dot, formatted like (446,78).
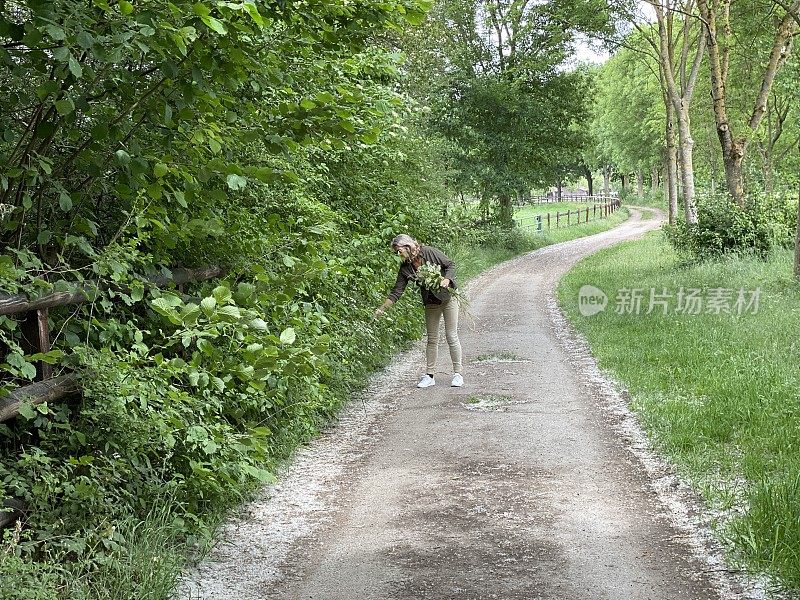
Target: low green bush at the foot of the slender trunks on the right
(723,227)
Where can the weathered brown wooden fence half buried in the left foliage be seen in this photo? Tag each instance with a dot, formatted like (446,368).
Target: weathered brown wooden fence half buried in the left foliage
(35,338)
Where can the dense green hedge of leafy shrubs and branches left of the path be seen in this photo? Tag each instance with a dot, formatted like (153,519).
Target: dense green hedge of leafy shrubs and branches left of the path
(264,137)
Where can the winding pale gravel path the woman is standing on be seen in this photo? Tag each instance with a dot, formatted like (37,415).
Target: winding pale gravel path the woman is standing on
(517,486)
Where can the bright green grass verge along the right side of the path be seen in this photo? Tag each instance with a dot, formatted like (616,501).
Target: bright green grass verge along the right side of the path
(719,394)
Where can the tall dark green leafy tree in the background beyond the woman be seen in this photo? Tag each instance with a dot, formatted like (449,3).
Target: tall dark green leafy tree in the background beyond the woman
(505,98)
